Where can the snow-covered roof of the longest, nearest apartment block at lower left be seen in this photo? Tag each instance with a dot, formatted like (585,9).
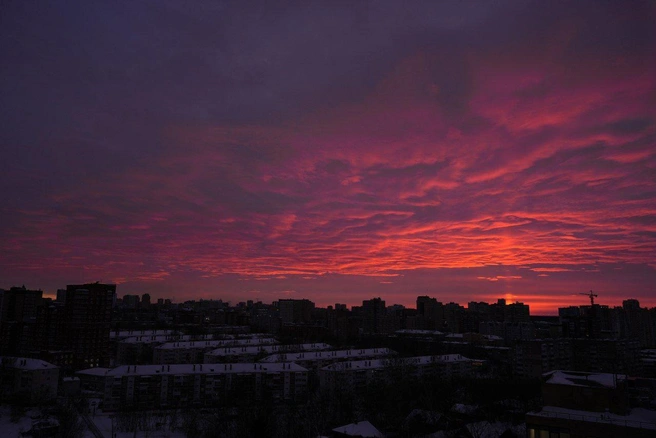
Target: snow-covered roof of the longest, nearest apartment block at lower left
(183,369)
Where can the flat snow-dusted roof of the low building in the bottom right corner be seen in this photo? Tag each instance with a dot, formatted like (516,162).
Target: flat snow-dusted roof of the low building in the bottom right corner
(636,418)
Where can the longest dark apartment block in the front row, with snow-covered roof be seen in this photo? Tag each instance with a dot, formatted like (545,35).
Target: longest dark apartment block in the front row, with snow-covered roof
(169,386)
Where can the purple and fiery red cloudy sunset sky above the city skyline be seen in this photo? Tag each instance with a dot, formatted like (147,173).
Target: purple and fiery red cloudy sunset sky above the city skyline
(335,151)
